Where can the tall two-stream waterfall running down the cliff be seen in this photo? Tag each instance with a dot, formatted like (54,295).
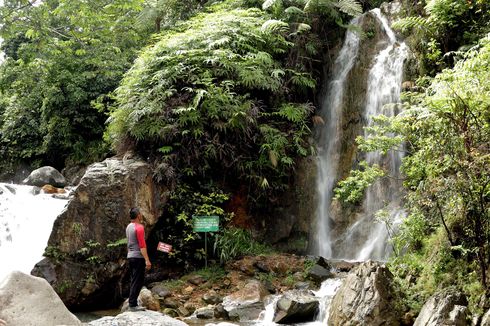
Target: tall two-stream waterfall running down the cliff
(362,238)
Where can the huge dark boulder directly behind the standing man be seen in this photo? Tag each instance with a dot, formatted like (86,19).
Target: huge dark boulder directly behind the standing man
(86,253)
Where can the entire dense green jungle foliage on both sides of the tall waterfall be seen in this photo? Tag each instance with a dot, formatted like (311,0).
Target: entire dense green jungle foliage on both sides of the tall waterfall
(220,95)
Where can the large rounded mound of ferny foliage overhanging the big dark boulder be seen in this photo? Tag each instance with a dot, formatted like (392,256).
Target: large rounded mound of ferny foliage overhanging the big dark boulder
(212,95)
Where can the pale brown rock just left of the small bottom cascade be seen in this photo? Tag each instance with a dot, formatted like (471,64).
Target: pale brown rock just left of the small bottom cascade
(247,303)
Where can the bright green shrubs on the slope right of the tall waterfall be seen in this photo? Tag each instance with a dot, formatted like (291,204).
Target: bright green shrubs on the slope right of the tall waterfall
(444,239)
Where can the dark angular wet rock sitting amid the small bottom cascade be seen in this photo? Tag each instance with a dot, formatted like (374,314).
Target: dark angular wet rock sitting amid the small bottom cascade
(296,307)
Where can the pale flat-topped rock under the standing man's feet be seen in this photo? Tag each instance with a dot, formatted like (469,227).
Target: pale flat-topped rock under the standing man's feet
(147,318)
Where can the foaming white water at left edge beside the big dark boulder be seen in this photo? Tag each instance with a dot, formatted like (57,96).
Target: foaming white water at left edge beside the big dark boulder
(26,221)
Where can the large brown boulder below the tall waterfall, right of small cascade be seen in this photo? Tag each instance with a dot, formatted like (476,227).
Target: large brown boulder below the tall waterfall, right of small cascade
(365,298)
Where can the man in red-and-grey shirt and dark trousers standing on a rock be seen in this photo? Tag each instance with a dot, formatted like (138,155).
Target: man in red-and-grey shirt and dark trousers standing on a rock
(137,257)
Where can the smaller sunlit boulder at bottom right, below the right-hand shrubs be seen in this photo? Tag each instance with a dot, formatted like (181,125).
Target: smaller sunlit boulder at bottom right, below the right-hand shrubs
(447,307)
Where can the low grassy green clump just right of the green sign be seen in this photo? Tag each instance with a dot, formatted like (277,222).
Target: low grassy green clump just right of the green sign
(236,242)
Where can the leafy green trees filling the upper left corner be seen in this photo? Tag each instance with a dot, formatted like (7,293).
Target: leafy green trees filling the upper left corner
(61,58)
